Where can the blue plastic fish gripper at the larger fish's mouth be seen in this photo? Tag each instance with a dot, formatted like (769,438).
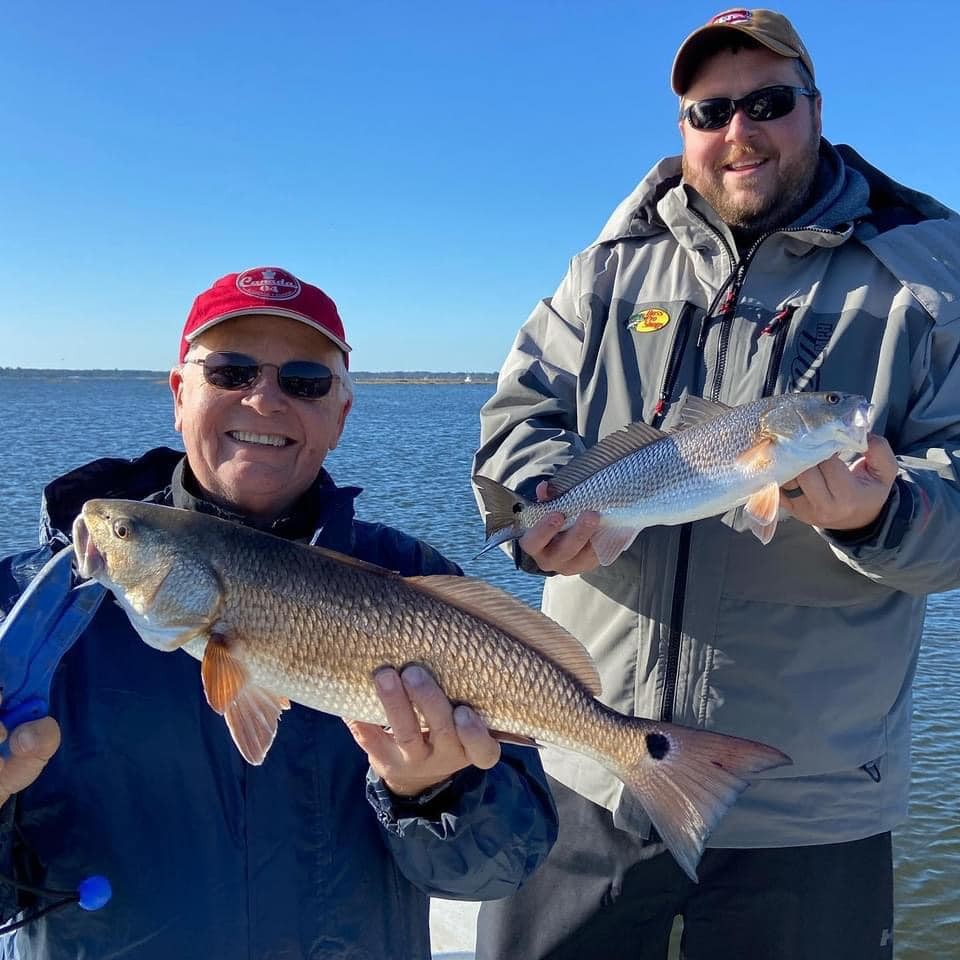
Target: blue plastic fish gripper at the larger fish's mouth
(43,625)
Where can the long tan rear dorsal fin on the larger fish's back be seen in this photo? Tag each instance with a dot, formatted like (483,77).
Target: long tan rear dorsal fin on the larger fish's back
(505,612)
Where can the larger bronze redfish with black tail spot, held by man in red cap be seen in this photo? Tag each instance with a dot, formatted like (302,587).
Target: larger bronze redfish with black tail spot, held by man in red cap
(274,621)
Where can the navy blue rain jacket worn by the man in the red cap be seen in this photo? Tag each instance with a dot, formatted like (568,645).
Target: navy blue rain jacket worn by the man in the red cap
(210,857)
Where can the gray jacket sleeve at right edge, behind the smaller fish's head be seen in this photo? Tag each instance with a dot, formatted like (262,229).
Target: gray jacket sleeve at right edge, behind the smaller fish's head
(913,545)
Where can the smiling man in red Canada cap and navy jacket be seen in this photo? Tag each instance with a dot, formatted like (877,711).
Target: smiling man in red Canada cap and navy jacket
(332,847)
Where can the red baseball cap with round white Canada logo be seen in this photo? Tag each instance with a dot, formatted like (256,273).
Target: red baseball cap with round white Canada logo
(264,290)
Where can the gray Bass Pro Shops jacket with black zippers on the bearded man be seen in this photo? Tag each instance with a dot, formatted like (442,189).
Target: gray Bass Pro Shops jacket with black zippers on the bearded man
(811,642)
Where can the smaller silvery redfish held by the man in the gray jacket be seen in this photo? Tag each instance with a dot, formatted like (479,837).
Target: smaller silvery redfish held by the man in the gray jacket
(717,458)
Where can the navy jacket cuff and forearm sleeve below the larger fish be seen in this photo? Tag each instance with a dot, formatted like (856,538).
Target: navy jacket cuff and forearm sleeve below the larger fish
(477,838)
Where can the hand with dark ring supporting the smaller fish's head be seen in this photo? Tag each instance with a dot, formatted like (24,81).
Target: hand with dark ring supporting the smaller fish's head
(836,496)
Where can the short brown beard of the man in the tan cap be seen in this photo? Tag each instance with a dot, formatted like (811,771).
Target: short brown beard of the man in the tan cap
(758,215)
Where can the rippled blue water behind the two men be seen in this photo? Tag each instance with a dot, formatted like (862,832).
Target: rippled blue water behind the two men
(410,447)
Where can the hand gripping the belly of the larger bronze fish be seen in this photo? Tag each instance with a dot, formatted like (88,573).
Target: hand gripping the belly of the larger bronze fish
(410,759)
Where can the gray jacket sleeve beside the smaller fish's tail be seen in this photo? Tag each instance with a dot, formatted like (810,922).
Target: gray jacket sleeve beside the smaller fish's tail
(529,427)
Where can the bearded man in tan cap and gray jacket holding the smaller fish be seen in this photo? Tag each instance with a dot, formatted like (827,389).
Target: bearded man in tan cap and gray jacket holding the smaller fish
(763,260)
